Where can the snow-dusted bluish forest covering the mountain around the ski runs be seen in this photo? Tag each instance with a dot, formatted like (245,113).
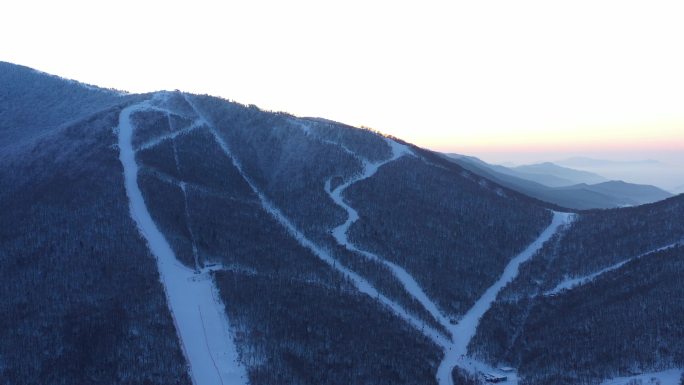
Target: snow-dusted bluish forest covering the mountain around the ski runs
(81,302)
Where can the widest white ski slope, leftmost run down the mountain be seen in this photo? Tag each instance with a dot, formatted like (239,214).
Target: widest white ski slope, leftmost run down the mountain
(198,314)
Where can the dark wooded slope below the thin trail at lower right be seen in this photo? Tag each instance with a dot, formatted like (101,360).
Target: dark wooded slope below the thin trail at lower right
(583,328)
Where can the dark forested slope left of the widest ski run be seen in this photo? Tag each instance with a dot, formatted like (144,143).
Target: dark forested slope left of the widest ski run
(80,298)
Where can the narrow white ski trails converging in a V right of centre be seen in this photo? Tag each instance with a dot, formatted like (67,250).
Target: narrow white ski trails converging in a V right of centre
(454,346)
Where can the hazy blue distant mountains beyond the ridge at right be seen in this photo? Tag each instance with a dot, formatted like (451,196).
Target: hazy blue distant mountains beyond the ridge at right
(564,186)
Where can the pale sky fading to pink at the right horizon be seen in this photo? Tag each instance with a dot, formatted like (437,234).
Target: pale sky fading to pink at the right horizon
(503,80)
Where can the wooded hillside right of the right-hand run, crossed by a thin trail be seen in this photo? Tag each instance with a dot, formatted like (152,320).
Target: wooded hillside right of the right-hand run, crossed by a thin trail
(601,300)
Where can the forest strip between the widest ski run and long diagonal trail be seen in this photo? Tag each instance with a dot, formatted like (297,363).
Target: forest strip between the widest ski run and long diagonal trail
(290,310)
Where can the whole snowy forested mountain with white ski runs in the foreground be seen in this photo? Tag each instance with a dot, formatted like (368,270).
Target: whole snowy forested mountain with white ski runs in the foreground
(170,238)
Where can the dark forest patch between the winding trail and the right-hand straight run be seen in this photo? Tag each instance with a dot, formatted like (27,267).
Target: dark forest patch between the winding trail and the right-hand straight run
(447,230)
